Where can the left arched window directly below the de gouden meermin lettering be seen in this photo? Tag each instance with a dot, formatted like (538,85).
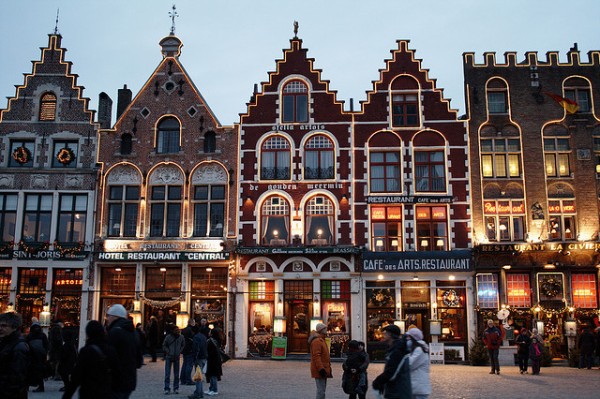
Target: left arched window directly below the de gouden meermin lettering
(275,221)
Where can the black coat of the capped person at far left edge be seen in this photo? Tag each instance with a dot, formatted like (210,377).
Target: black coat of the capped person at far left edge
(13,367)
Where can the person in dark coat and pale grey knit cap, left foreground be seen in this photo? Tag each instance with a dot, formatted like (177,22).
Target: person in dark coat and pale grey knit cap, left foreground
(122,337)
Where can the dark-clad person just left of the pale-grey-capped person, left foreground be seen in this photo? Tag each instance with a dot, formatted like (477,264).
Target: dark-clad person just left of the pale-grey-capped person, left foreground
(95,364)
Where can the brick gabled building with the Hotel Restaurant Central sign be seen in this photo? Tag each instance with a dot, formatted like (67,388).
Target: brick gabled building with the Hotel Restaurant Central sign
(166,202)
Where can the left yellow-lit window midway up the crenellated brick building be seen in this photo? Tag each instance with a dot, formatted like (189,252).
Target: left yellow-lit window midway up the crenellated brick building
(501,158)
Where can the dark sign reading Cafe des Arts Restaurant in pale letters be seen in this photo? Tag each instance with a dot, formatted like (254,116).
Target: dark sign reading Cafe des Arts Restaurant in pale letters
(420,261)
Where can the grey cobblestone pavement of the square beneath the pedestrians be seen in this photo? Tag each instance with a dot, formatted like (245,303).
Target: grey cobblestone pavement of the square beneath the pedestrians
(276,379)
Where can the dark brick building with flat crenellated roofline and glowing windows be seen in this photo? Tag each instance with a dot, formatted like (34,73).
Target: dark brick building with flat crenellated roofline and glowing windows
(535,151)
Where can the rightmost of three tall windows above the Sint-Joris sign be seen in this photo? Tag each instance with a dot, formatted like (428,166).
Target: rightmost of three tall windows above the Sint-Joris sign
(72,218)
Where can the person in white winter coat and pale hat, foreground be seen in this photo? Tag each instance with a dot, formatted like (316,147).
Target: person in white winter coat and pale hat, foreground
(419,363)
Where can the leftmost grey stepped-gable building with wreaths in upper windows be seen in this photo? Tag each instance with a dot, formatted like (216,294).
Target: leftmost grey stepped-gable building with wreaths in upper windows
(47,193)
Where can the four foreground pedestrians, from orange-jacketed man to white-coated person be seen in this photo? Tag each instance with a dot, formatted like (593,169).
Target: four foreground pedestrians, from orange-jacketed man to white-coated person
(405,374)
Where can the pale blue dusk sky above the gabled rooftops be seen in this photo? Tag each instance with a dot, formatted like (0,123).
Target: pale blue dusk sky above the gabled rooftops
(229,45)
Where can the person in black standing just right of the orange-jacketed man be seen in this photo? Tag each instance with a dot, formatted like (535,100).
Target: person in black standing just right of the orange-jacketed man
(354,379)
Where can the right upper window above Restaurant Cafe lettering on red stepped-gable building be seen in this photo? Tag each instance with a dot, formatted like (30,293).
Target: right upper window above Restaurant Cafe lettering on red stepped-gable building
(429,175)
